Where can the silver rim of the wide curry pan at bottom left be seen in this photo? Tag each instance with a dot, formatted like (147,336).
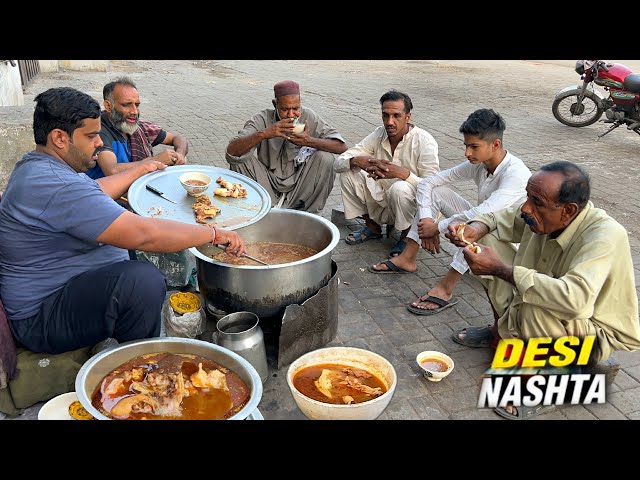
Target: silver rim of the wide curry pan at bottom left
(255,394)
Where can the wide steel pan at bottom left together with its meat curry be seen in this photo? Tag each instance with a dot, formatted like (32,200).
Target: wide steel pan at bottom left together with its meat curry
(168,378)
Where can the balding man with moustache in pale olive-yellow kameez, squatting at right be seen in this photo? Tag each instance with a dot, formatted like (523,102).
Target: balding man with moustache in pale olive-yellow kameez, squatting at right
(572,274)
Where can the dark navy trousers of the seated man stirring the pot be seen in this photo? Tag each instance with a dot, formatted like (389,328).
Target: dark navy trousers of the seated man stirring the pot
(121,301)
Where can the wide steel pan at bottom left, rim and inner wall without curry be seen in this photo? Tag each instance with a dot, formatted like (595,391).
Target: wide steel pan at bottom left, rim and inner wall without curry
(95,369)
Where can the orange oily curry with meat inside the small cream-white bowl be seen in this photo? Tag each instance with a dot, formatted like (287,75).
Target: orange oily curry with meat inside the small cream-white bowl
(338,384)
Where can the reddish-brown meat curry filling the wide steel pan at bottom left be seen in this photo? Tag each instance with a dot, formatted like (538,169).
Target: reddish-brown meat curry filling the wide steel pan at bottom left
(167,386)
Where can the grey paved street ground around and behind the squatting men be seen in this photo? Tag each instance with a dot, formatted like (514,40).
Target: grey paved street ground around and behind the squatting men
(209,101)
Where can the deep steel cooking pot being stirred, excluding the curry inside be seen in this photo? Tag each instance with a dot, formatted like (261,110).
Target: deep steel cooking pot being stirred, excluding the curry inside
(268,290)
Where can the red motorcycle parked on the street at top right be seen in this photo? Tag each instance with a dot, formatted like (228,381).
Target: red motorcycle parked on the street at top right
(584,104)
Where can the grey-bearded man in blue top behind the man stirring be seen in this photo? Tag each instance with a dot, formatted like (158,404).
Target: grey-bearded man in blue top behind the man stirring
(126,138)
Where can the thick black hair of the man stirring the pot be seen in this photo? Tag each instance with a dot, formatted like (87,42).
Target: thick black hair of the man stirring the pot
(64,108)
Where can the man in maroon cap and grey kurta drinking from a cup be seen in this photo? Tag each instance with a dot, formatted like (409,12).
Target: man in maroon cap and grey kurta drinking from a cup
(295,168)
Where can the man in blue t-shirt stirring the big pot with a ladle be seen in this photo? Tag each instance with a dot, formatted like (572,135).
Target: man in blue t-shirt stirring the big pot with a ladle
(65,278)
